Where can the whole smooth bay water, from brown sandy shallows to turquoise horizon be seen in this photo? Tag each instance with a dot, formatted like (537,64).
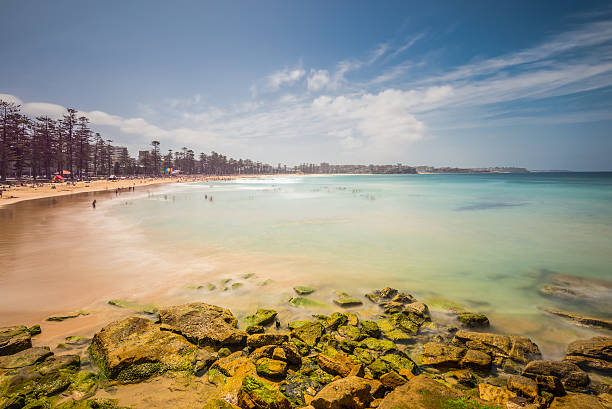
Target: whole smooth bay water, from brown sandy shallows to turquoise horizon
(488,242)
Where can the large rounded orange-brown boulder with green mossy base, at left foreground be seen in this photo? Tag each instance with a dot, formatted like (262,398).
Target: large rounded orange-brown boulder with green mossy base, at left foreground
(134,349)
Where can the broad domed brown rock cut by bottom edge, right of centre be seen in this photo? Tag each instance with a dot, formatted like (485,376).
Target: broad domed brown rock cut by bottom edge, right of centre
(421,392)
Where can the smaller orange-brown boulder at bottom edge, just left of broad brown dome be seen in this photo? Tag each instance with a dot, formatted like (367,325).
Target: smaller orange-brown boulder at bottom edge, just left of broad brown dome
(346,393)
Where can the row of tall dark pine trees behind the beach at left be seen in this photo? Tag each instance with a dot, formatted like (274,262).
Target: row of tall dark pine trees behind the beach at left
(42,147)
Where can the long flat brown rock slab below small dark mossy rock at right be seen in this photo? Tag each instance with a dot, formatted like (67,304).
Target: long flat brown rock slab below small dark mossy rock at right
(521,349)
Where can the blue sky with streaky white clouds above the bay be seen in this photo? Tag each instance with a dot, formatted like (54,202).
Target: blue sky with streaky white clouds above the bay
(442,83)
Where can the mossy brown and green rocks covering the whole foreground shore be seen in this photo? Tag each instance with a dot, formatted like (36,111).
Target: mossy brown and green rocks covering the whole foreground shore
(400,359)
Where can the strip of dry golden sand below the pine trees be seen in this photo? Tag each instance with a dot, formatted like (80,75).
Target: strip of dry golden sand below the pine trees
(32,191)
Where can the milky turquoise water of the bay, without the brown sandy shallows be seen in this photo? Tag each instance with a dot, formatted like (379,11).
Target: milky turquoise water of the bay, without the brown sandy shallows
(489,240)
